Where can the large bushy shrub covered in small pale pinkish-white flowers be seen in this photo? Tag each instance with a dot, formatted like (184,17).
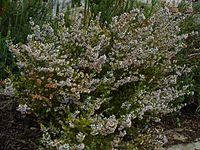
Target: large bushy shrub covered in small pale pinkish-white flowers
(99,87)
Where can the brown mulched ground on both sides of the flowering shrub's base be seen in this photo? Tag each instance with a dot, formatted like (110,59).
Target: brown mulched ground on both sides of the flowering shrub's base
(19,132)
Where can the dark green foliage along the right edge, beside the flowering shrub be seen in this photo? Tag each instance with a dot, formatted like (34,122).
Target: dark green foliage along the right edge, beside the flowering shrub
(190,54)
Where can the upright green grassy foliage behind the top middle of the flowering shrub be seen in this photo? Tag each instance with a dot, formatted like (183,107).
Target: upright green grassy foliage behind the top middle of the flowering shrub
(109,9)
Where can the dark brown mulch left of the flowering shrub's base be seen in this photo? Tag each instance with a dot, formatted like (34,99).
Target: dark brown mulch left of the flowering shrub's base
(17,132)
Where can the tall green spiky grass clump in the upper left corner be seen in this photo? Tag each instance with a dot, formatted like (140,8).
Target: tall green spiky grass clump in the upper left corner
(15,18)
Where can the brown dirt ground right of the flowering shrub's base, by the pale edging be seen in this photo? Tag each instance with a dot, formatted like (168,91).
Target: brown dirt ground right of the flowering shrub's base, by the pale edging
(183,127)
